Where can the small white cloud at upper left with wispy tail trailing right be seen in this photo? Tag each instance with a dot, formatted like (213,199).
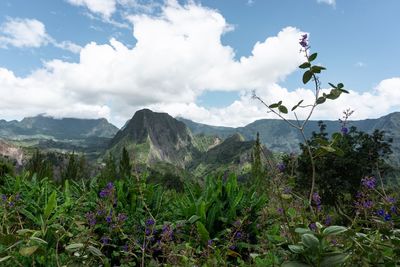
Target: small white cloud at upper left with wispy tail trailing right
(30,33)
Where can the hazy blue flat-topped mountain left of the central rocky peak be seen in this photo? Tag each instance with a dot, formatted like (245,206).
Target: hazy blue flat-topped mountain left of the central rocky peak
(90,136)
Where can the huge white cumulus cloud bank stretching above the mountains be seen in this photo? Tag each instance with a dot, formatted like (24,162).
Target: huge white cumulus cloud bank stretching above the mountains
(178,56)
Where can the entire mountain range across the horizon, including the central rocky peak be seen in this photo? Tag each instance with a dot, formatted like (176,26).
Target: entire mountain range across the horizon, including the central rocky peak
(153,138)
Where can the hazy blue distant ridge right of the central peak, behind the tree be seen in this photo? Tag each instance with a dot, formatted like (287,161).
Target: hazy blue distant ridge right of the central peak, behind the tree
(278,136)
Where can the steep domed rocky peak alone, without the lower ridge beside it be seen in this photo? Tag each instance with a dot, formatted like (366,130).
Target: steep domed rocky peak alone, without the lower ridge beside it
(155,137)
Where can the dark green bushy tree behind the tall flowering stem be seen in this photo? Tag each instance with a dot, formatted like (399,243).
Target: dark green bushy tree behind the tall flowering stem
(363,154)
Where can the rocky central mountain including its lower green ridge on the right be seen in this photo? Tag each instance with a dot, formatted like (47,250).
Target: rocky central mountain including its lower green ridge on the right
(153,138)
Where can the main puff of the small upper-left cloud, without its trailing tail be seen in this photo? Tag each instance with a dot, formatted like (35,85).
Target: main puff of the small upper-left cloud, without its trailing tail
(23,33)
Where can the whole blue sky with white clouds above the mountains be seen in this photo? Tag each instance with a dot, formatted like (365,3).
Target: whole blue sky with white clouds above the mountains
(200,60)
